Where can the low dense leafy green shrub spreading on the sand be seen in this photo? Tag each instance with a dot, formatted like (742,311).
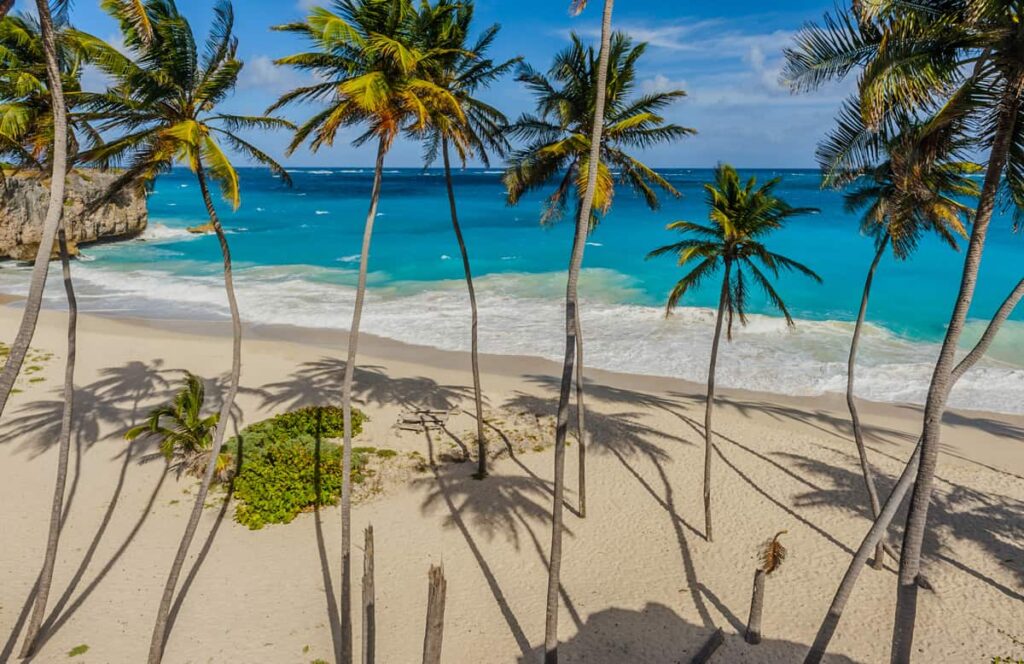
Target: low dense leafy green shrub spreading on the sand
(279,475)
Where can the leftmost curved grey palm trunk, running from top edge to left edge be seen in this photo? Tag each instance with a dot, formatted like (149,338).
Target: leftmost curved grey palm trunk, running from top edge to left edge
(55,210)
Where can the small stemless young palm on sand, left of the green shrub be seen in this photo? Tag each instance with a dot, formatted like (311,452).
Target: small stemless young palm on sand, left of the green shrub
(185,436)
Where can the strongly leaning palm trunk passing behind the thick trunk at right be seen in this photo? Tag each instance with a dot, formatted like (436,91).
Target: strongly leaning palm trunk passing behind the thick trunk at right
(881,525)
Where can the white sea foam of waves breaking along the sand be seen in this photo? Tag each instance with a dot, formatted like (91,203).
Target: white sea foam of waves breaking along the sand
(525,314)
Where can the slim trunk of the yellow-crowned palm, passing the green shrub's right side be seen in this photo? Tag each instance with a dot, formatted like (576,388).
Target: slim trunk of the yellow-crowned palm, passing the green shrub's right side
(347,404)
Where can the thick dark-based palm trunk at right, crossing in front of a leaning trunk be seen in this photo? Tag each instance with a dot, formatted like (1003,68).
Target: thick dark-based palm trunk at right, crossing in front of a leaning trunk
(914,534)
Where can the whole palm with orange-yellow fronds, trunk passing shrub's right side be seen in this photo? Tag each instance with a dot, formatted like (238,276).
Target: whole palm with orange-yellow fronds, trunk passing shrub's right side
(372,73)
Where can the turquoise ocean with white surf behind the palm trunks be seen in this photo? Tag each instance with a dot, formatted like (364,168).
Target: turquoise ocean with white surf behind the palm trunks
(296,256)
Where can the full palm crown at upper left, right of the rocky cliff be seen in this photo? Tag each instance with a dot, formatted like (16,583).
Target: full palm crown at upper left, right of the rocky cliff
(165,96)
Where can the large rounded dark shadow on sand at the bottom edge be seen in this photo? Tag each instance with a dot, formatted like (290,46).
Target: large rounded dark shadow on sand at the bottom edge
(656,635)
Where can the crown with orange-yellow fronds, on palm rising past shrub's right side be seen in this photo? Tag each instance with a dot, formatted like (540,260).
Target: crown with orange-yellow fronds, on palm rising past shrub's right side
(373,71)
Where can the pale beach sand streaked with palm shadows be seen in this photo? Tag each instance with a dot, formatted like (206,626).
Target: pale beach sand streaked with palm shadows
(641,585)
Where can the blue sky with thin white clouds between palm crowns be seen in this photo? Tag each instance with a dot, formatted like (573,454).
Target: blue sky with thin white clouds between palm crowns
(727,55)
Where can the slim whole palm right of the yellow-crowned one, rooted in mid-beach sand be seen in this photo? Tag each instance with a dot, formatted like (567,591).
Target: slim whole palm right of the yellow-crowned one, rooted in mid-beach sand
(463,72)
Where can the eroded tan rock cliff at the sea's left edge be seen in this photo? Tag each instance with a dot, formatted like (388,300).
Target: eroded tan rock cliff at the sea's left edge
(23,210)
